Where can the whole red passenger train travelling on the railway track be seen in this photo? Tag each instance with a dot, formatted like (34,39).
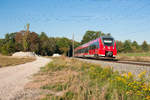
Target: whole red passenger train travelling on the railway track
(104,46)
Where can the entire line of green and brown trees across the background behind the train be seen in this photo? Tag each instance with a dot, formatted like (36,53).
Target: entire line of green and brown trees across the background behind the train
(43,45)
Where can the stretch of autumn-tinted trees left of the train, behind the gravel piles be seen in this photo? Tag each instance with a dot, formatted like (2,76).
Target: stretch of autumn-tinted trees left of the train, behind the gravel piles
(41,44)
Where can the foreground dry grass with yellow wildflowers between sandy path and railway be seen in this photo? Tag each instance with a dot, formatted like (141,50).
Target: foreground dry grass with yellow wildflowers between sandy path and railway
(70,79)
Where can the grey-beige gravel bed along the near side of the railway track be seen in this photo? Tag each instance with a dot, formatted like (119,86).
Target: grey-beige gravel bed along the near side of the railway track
(135,69)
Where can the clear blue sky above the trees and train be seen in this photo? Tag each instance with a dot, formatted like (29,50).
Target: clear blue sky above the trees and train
(124,19)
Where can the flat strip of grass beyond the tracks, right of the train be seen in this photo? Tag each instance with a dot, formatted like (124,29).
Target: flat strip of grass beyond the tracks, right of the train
(144,56)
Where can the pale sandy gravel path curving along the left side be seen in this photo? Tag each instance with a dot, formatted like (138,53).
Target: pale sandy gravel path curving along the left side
(13,79)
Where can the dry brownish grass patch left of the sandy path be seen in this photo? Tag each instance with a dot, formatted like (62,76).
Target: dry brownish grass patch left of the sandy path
(11,61)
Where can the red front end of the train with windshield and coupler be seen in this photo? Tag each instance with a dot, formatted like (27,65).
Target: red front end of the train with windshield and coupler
(108,47)
